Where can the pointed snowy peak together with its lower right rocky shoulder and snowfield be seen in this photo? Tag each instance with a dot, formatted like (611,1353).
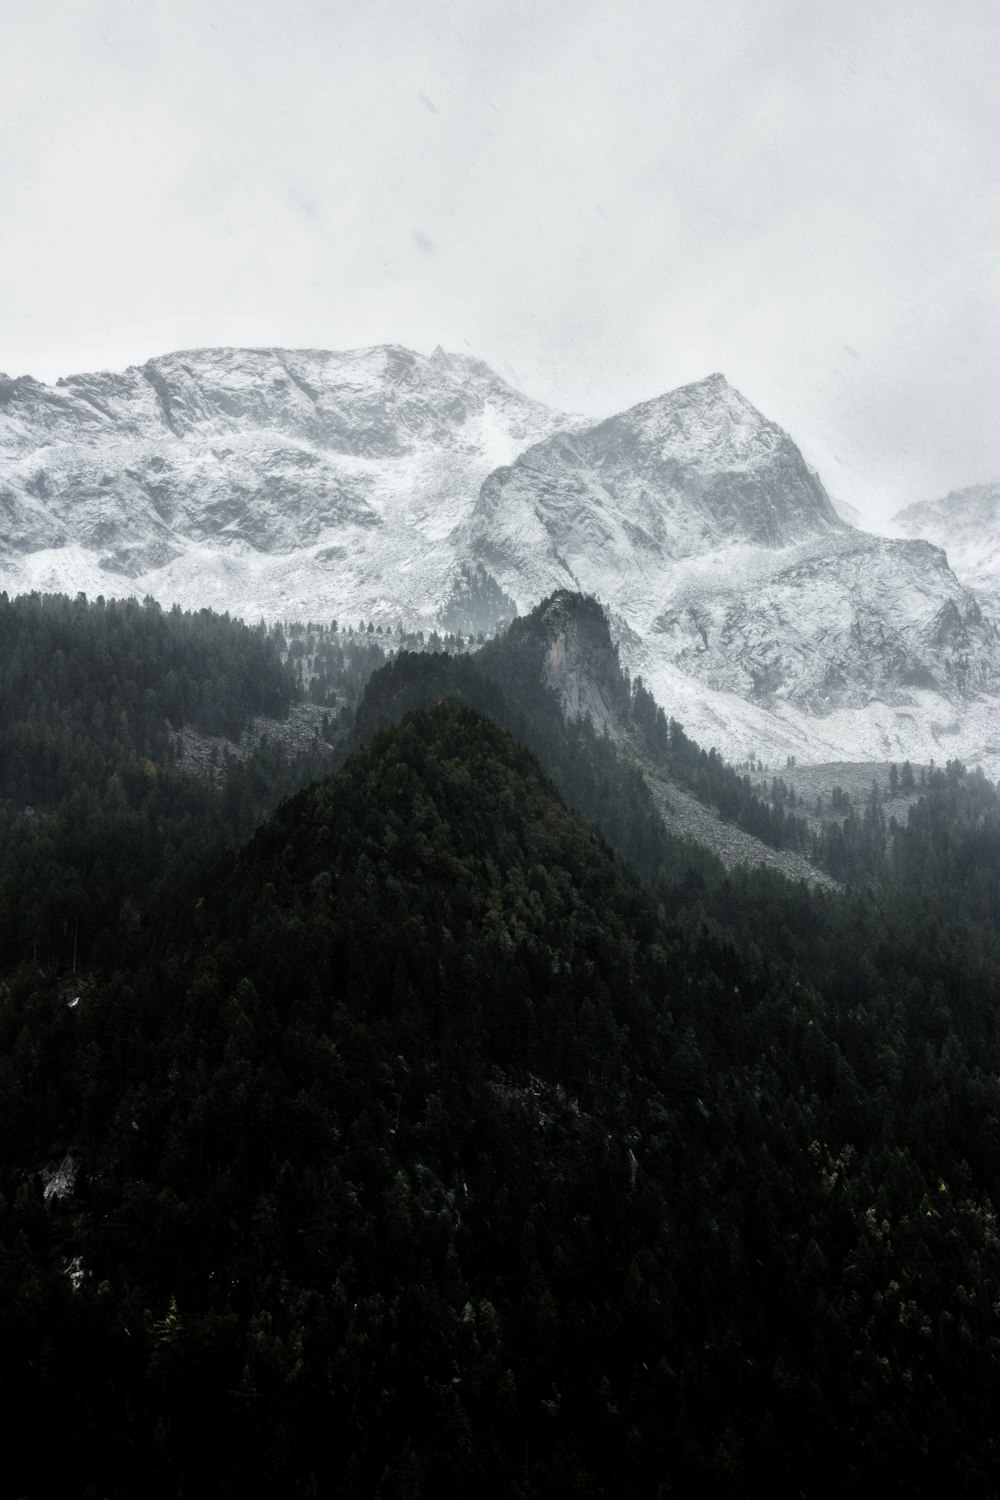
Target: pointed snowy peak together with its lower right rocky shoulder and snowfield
(762,620)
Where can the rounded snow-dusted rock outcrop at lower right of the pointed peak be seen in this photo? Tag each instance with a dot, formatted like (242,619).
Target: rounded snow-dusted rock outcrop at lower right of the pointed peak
(831,626)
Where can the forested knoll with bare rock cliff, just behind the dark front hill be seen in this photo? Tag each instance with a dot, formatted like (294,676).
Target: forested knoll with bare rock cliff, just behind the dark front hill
(593,730)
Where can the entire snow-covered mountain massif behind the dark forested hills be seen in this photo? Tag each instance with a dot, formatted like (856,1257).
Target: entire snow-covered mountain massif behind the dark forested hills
(389,485)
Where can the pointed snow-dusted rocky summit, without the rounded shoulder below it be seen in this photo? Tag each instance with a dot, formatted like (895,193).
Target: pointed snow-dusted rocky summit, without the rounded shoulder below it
(624,500)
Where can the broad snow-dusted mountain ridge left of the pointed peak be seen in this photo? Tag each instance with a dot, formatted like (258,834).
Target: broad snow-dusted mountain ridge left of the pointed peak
(257,481)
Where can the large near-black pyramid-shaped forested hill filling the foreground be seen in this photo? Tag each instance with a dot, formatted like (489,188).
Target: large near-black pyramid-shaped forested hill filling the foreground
(422,1154)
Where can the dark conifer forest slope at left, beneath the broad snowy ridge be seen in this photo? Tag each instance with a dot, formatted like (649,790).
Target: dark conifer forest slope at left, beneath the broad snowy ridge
(95,814)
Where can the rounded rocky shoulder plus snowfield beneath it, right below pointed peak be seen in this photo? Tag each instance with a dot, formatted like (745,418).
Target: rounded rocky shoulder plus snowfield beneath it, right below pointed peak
(848,649)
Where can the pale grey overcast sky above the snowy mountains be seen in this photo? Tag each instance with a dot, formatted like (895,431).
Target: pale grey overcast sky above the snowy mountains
(603,200)
